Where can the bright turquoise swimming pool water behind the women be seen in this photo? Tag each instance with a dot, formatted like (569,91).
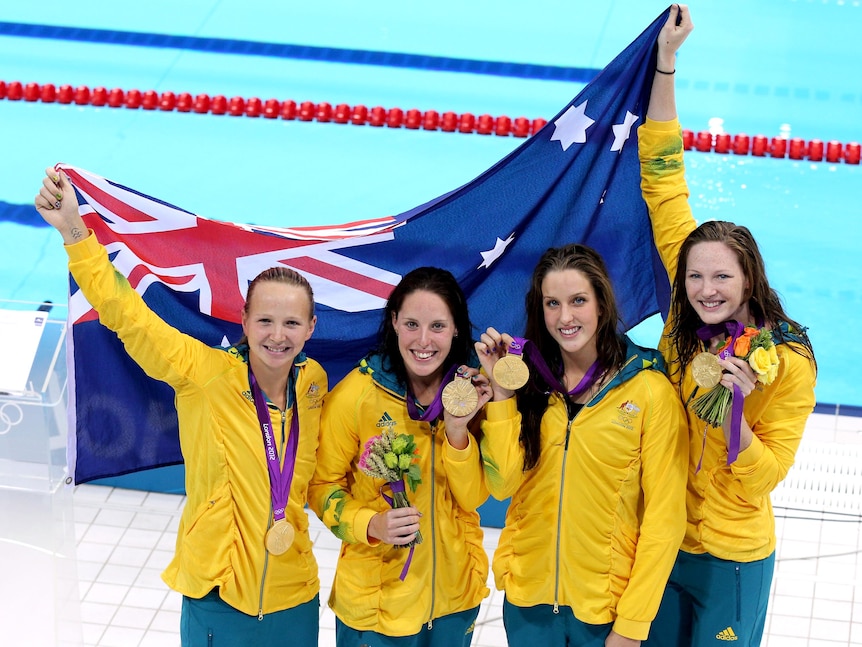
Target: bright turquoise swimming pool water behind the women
(780,67)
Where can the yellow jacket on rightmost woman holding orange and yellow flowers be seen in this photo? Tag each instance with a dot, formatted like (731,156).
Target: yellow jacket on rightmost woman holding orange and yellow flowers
(728,506)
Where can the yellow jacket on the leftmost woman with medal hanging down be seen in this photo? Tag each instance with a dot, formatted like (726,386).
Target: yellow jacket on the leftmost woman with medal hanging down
(220,540)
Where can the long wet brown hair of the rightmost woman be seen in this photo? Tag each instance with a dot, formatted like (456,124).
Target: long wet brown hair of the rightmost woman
(764,303)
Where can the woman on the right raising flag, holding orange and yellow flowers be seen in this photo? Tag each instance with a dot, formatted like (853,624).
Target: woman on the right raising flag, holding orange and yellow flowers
(719,588)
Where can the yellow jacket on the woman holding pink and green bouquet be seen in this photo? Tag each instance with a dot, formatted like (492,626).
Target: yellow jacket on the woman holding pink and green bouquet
(449,570)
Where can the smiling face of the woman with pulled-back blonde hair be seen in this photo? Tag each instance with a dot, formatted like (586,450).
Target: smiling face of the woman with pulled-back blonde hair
(277,322)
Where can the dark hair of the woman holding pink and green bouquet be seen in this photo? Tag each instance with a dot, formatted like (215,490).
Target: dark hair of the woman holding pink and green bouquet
(443,284)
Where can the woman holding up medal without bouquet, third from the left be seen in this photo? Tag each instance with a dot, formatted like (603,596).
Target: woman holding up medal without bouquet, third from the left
(592,452)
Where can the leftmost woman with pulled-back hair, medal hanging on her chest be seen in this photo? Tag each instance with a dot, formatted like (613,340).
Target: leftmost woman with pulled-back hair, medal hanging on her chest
(243,559)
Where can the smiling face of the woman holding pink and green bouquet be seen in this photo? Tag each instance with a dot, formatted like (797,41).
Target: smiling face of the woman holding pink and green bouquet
(425,329)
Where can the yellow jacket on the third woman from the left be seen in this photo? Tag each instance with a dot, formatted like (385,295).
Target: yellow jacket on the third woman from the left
(597,524)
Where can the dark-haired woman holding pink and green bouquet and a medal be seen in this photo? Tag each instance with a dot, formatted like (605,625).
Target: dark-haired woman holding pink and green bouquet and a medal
(384,595)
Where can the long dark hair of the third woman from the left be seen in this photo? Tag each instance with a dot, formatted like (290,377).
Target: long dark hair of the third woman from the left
(533,397)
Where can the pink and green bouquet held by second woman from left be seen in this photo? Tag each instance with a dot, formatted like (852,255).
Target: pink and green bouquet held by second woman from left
(393,458)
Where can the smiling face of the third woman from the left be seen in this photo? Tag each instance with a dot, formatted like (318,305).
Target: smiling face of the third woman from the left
(571,311)
